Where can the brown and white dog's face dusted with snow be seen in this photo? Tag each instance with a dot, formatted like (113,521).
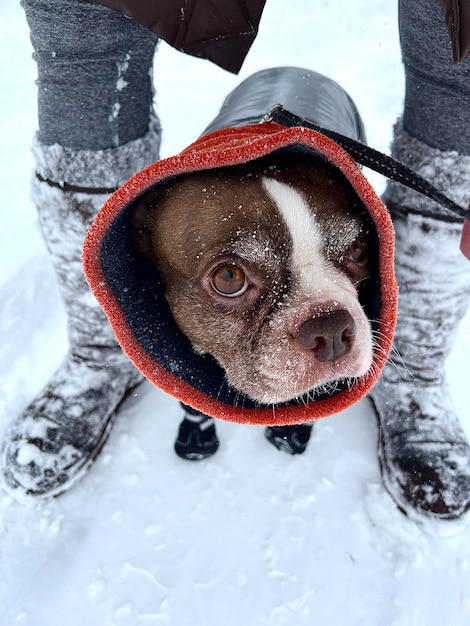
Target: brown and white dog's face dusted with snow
(261,265)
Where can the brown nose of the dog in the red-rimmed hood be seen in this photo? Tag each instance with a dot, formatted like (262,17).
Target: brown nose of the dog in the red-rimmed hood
(329,335)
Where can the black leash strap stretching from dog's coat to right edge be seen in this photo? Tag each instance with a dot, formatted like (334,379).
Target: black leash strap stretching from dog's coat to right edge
(373,159)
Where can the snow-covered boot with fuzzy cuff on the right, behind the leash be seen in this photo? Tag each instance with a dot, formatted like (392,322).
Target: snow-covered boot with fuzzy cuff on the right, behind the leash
(423,451)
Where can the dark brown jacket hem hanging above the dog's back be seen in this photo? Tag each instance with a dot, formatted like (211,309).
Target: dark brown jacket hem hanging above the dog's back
(219,30)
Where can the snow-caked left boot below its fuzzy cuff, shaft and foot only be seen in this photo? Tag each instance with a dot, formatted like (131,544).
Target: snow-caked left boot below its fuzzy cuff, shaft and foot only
(57,437)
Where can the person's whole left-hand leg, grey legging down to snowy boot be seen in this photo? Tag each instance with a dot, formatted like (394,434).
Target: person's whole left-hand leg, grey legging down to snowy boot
(96,129)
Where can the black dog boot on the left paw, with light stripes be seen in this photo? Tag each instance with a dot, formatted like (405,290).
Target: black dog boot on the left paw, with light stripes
(197,438)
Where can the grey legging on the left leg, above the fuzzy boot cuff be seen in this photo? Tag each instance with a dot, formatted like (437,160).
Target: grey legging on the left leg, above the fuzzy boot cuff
(95,86)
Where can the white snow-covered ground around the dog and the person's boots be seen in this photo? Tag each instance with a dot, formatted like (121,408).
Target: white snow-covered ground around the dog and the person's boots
(251,536)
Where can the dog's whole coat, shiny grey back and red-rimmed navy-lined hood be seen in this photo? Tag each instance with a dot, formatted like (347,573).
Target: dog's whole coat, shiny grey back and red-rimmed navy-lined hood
(132,293)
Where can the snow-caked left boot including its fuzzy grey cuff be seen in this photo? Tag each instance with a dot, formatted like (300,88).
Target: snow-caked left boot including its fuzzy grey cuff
(55,440)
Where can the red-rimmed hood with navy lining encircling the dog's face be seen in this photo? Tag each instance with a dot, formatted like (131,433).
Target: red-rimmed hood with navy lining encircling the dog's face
(132,292)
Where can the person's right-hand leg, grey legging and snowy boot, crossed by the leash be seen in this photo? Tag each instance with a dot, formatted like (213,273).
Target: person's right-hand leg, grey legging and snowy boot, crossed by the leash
(424,453)
